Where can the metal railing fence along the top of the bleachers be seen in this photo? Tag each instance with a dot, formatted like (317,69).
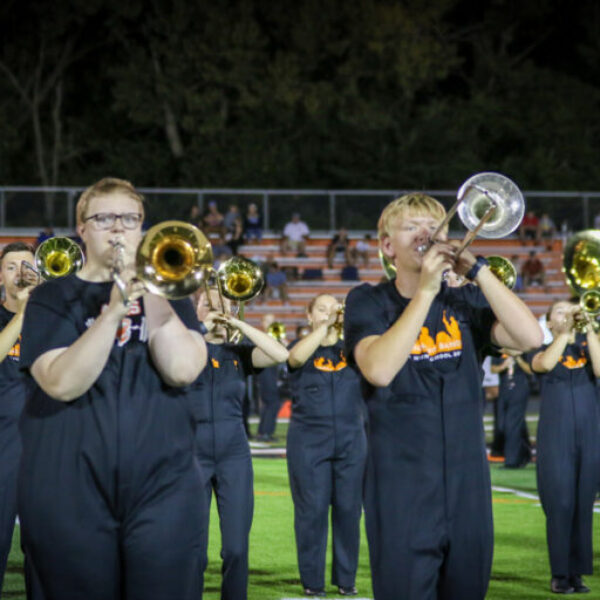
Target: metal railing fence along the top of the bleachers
(23,207)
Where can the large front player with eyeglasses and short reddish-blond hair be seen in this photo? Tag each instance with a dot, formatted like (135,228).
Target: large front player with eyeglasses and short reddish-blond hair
(108,484)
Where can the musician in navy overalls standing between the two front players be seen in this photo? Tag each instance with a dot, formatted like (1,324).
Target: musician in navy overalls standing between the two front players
(326,451)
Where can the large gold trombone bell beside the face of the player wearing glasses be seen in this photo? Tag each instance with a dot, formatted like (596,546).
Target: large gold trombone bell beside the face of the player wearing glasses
(173,259)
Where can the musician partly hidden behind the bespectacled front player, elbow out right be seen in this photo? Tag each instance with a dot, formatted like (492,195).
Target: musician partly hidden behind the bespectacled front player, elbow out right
(222,446)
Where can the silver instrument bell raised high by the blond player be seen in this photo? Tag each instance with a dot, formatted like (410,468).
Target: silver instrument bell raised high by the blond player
(483,190)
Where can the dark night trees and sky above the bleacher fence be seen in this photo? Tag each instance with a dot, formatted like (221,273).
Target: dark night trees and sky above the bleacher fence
(311,94)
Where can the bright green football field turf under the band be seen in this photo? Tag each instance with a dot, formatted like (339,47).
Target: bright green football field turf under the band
(520,569)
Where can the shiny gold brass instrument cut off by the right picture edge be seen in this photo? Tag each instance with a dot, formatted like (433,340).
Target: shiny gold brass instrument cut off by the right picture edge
(581,265)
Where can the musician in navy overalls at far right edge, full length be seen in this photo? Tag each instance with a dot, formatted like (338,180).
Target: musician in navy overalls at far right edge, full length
(568,444)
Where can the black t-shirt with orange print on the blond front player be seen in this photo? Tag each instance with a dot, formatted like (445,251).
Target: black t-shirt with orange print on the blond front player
(456,329)
